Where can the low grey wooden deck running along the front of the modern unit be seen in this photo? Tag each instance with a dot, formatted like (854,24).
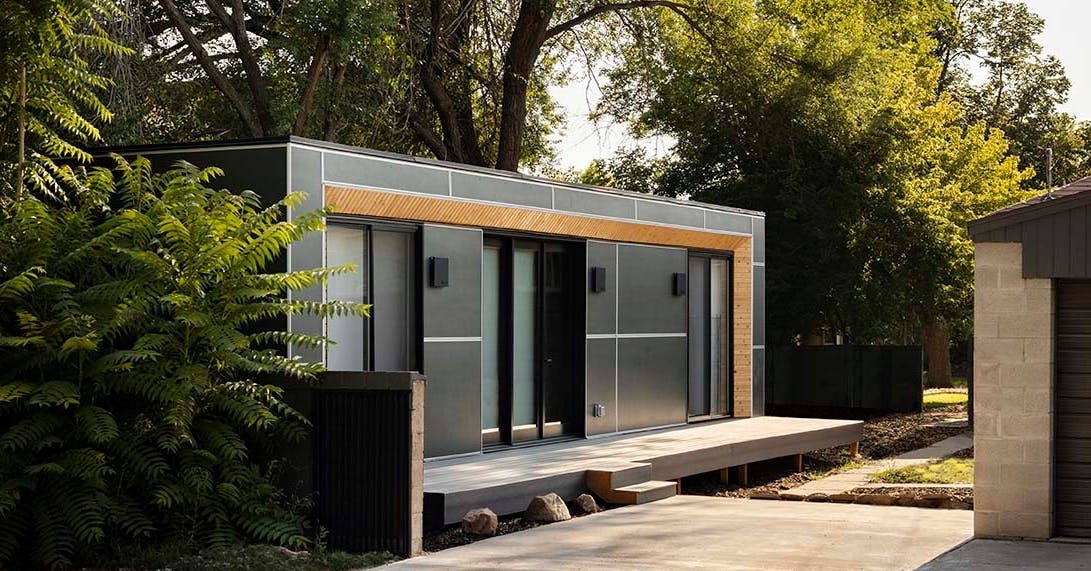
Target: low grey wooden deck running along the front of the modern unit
(506,482)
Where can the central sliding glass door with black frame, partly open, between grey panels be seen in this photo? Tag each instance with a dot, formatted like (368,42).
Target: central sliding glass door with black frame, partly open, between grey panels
(530,383)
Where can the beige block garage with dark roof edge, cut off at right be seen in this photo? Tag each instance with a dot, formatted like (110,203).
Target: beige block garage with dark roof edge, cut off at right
(1033,367)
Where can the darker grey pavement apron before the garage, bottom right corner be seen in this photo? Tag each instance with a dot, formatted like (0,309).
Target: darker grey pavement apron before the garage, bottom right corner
(1001,555)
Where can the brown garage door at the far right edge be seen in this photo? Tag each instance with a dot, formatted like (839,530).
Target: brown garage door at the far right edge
(1072,471)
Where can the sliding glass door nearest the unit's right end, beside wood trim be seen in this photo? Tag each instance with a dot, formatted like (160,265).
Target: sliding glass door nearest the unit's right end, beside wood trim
(710,318)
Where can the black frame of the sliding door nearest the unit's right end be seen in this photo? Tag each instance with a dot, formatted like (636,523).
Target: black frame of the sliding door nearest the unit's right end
(729,304)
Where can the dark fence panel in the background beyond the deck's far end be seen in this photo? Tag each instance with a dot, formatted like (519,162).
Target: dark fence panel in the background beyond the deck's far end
(845,378)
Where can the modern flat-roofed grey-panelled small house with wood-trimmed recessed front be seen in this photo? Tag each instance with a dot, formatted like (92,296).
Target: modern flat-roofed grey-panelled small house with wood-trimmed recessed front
(536,310)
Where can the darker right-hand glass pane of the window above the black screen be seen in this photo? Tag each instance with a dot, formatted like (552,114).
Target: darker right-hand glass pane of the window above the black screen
(392,314)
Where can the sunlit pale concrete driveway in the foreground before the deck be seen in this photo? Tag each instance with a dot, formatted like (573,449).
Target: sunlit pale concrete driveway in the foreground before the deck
(697,532)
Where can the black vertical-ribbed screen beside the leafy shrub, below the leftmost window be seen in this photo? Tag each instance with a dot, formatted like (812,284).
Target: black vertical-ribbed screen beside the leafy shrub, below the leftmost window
(362,469)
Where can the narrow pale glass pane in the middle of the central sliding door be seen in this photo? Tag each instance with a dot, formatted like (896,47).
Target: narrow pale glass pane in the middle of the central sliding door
(524,270)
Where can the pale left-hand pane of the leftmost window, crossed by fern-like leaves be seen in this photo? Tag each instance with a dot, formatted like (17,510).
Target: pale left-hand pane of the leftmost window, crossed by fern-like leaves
(347,245)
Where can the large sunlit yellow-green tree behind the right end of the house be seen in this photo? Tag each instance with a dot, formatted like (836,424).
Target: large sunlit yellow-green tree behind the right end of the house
(824,115)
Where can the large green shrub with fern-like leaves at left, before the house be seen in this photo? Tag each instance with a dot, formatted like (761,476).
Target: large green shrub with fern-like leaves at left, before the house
(142,356)
